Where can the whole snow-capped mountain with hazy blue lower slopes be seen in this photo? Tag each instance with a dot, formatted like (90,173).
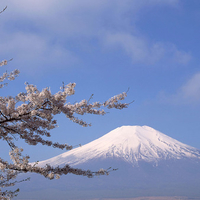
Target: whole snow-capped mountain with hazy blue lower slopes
(149,163)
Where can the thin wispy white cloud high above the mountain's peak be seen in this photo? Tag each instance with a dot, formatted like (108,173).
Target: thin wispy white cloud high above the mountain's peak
(141,50)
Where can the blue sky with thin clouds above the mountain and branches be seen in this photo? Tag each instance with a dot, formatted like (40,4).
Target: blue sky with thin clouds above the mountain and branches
(106,47)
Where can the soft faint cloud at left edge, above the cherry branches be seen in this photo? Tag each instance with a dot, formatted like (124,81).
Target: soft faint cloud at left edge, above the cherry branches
(32,51)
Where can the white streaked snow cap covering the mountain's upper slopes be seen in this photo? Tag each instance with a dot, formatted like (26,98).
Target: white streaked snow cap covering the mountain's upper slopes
(129,143)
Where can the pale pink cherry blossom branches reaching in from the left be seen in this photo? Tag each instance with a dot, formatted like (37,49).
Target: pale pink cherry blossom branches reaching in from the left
(30,116)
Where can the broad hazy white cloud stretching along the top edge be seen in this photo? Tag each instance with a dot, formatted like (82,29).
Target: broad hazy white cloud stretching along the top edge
(83,17)
